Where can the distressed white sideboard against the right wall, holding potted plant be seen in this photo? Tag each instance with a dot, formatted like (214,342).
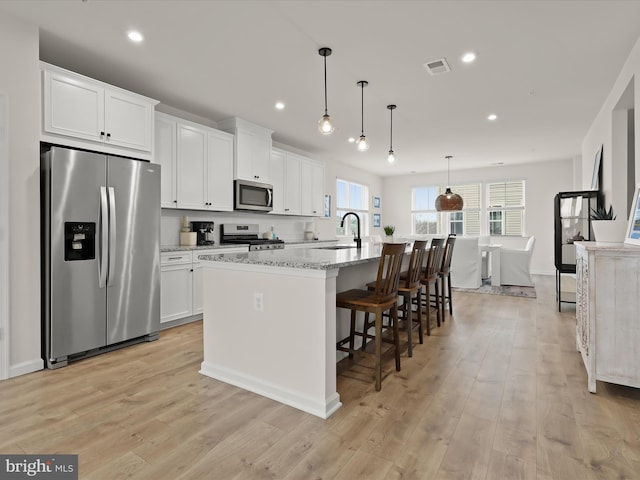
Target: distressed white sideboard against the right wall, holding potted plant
(608,312)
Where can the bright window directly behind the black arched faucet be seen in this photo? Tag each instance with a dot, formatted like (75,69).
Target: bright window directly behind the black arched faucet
(352,197)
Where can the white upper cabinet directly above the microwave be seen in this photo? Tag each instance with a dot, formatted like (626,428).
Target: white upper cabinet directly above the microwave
(252,149)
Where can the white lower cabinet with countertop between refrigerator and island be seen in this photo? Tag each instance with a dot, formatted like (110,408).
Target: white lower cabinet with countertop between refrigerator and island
(181,283)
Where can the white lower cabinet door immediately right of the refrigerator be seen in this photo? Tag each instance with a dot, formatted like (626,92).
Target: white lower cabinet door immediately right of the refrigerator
(176,292)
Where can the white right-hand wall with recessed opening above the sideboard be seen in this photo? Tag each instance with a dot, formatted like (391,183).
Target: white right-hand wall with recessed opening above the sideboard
(601,132)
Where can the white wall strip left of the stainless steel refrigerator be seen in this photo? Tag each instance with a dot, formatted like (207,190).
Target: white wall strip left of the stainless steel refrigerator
(20,81)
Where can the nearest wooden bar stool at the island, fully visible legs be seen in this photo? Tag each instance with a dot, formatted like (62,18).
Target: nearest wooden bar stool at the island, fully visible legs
(383,298)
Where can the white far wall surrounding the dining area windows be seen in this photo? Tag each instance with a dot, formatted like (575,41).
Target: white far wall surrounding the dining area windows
(543,181)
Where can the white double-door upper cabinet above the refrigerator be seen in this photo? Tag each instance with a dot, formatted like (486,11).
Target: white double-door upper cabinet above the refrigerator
(81,112)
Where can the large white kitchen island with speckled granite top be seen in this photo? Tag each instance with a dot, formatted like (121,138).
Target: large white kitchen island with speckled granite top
(270,320)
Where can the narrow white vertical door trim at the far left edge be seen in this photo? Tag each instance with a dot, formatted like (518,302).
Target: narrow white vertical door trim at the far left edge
(4,238)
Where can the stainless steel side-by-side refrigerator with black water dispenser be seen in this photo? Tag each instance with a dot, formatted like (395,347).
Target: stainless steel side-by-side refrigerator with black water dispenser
(100,253)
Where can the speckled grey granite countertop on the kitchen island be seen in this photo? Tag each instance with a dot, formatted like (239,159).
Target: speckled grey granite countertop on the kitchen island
(309,258)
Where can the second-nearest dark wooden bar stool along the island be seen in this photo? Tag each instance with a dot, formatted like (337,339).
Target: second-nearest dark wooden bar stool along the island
(409,287)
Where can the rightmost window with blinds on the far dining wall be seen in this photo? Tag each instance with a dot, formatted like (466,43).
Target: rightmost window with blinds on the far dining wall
(505,207)
